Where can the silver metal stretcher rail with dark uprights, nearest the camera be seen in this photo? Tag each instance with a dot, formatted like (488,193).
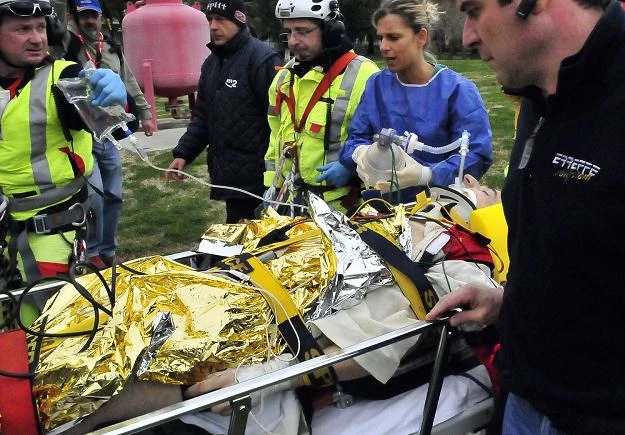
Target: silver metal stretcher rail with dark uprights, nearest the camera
(238,394)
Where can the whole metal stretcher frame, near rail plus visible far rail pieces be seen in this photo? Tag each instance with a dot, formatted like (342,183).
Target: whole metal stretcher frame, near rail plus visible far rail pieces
(239,394)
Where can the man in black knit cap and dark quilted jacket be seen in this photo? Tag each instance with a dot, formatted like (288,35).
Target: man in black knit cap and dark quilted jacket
(230,116)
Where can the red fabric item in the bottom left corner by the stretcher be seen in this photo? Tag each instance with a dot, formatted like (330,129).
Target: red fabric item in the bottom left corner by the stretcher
(17,412)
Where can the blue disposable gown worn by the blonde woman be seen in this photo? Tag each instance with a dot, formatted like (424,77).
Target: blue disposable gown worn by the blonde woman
(438,112)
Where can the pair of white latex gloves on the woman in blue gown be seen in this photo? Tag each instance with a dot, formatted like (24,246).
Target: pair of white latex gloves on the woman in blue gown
(412,174)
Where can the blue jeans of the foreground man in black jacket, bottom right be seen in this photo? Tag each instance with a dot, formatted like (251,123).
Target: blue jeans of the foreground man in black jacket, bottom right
(520,418)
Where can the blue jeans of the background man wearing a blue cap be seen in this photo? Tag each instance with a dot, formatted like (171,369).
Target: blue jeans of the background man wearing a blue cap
(107,204)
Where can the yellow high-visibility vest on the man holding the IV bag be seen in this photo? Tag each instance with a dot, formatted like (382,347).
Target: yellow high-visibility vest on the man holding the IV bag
(35,158)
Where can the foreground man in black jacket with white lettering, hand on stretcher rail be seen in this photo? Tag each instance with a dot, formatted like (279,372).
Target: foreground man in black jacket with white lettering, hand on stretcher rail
(559,314)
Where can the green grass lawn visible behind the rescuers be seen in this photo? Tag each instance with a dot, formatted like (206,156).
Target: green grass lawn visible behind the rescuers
(164,218)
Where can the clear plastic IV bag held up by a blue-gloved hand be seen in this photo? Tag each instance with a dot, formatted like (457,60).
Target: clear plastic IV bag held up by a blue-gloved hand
(102,121)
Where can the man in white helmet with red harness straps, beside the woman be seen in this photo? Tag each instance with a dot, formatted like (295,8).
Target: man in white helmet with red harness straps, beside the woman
(314,98)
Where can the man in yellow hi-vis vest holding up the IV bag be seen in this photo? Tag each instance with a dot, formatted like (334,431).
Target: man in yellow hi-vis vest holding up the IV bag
(45,151)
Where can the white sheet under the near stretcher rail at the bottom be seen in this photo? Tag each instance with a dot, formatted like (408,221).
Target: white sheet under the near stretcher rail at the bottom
(399,415)
